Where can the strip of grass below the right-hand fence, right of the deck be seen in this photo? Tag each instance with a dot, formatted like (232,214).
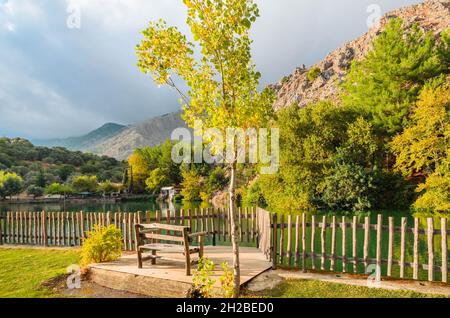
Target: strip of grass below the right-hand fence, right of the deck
(317,289)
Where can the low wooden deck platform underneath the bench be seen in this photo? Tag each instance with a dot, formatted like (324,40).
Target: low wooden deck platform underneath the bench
(167,278)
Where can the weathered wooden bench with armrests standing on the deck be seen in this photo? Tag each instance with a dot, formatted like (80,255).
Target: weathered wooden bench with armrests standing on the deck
(177,239)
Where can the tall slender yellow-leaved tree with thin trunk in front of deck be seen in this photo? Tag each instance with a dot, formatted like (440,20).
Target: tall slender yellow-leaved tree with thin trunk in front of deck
(221,78)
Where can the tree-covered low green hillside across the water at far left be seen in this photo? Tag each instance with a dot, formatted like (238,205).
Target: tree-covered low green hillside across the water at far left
(40,170)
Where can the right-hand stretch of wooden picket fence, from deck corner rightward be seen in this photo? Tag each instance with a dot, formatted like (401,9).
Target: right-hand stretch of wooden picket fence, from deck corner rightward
(301,242)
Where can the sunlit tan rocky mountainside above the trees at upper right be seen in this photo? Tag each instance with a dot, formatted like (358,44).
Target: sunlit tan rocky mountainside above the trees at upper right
(431,15)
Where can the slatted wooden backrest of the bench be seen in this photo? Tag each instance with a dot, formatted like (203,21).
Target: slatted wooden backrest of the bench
(178,234)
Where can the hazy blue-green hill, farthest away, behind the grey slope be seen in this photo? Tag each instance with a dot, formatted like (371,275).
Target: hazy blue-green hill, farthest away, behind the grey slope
(86,142)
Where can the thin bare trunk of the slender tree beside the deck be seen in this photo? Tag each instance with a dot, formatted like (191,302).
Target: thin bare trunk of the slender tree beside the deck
(234,232)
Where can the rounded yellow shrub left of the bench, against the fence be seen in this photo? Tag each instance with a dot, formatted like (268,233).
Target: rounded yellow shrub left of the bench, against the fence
(104,244)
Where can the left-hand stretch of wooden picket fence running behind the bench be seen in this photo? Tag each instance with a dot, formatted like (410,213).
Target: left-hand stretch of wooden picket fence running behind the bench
(65,229)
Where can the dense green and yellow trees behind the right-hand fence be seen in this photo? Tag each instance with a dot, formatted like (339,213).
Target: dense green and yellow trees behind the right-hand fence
(385,146)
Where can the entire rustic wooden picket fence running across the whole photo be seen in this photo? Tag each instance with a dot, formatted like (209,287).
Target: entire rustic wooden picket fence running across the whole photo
(301,241)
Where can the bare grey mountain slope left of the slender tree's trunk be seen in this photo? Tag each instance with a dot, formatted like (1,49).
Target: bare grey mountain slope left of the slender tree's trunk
(151,132)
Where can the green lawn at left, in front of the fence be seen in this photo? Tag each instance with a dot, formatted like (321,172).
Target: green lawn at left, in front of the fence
(22,271)
